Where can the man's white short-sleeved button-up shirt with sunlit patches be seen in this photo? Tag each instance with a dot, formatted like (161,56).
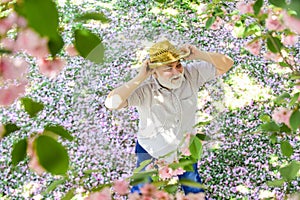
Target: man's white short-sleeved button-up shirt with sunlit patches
(166,115)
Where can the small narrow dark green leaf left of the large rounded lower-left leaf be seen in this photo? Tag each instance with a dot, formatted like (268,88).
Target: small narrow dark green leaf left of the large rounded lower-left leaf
(19,152)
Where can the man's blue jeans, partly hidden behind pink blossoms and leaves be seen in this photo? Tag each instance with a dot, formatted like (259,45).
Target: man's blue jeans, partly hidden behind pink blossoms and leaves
(142,155)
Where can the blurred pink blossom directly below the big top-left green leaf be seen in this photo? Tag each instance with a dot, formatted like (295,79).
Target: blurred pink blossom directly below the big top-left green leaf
(32,43)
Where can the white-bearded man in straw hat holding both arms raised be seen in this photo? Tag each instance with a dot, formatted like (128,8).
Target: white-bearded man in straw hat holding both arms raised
(165,94)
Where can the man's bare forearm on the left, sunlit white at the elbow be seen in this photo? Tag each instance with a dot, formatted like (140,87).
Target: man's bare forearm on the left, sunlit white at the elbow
(117,98)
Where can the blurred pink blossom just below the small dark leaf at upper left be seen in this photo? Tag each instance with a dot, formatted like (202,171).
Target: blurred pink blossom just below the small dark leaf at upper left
(51,68)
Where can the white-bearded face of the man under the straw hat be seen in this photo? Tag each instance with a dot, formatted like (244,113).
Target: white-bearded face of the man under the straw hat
(171,75)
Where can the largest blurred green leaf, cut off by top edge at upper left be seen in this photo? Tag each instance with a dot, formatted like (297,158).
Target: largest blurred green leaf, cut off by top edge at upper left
(41,15)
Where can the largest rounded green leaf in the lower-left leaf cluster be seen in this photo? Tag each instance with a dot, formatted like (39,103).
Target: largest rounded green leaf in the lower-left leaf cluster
(51,155)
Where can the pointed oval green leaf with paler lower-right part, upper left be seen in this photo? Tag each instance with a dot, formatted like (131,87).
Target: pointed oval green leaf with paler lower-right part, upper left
(89,45)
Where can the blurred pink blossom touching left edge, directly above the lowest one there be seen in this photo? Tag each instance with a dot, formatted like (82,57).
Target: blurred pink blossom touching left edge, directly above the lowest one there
(12,68)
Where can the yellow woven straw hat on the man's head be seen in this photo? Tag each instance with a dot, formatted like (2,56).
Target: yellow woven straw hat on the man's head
(163,53)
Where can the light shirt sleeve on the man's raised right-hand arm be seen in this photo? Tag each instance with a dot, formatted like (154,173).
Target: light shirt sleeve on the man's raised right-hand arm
(202,72)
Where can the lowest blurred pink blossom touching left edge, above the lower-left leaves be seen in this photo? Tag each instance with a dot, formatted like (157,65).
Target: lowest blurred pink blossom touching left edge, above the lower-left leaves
(10,94)
